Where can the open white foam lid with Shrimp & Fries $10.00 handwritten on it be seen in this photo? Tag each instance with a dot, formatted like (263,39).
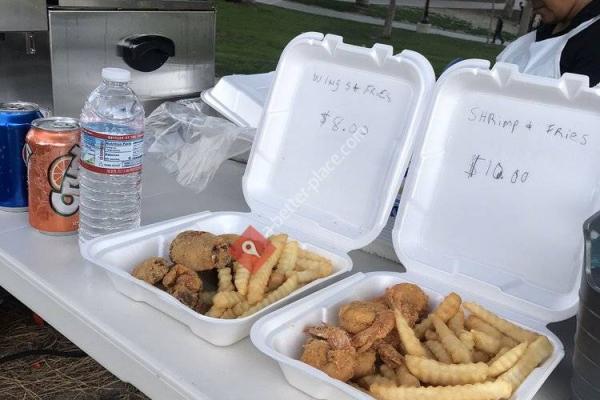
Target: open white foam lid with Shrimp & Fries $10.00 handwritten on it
(501,182)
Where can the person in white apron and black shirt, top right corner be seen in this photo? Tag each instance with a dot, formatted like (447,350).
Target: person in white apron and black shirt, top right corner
(567,41)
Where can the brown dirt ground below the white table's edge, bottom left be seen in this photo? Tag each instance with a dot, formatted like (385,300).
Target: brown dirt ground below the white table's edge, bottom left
(66,374)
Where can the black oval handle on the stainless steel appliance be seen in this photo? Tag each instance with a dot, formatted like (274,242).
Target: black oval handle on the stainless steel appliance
(145,53)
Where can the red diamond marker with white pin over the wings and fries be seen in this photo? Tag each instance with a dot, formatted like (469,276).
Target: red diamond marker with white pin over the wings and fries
(252,249)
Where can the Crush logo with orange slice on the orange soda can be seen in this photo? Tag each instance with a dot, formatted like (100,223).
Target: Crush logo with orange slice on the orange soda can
(63,176)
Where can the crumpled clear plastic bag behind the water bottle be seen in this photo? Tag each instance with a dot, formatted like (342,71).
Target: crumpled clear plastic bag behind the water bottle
(191,144)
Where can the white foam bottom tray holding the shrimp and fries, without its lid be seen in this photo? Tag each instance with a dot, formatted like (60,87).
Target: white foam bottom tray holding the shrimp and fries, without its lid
(281,334)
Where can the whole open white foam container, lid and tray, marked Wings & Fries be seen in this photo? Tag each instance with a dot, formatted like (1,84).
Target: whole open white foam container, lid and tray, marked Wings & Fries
(292,183)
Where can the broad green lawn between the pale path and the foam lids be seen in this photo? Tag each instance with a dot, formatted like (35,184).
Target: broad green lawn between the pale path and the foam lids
(250,38)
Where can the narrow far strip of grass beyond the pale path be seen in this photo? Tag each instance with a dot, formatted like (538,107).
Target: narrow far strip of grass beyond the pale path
(404,14)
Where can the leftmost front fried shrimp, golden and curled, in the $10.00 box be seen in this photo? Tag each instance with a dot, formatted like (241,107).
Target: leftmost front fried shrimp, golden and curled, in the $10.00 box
(334,355)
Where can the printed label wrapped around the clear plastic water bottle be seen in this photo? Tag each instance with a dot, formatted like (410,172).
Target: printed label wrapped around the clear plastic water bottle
(112,154)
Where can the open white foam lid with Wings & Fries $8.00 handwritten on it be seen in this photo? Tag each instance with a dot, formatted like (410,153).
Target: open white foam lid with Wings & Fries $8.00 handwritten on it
(335,139)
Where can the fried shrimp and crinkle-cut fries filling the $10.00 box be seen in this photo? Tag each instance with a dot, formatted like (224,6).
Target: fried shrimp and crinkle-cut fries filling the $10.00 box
(459,351)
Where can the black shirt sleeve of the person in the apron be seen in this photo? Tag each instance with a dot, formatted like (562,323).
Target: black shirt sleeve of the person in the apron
(581,55)
